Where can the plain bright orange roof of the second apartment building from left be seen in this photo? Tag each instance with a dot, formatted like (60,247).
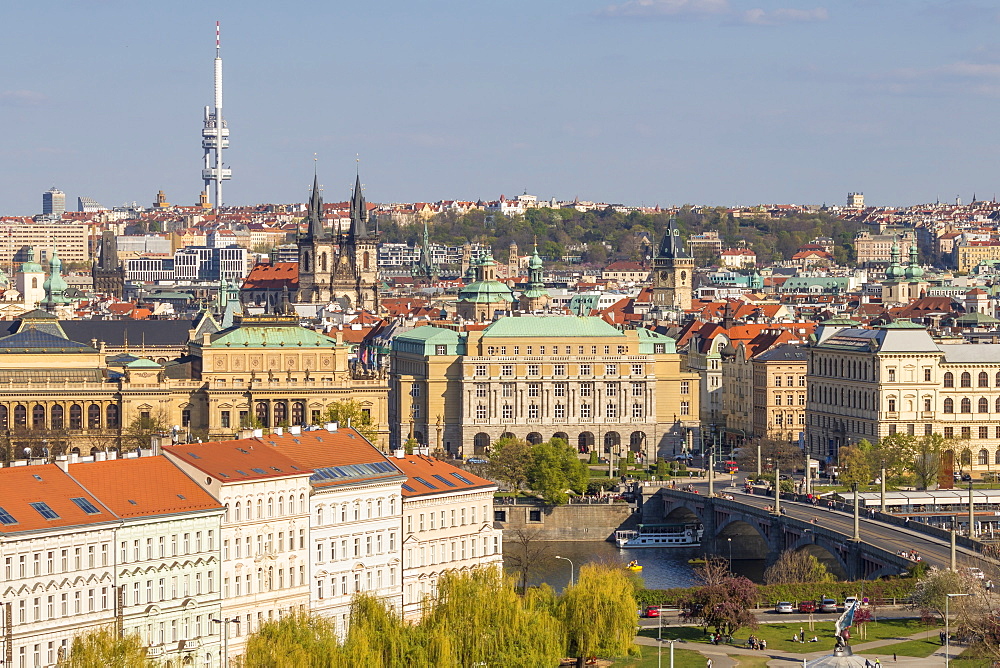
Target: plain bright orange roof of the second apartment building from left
(142,487)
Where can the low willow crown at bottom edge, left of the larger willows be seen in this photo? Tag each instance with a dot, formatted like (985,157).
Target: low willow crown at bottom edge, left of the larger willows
(294,640)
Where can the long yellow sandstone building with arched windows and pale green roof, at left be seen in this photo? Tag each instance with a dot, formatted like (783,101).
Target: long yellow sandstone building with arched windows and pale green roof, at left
(57,393)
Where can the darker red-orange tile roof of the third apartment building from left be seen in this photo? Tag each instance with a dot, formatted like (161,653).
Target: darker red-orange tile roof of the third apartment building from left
(236,460)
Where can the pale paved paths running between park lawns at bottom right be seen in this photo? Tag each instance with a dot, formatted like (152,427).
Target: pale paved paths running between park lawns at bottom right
(722,655)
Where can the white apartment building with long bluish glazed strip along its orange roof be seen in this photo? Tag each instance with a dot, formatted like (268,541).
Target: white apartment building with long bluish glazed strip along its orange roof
(356,518)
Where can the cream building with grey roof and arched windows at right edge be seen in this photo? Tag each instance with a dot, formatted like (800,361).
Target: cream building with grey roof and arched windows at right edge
(869,383)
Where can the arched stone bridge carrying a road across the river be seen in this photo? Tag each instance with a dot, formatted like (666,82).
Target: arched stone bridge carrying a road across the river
(753,532)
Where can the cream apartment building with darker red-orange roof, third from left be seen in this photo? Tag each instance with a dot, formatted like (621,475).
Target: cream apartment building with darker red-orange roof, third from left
(264,529)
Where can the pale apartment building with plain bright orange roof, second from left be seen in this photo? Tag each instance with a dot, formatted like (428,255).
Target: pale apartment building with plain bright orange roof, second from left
(168,571)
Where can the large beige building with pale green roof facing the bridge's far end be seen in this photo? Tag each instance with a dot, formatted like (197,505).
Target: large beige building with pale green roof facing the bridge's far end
(538,377)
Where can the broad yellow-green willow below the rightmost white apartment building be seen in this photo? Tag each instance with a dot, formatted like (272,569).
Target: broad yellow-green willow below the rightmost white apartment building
(479,619)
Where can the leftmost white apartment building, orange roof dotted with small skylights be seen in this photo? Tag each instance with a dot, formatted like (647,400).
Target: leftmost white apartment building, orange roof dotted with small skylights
(58,557)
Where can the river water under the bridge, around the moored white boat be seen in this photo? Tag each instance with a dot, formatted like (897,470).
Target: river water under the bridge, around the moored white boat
(662,568)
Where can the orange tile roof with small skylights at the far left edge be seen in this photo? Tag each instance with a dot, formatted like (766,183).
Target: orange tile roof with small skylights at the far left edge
(48,484)
